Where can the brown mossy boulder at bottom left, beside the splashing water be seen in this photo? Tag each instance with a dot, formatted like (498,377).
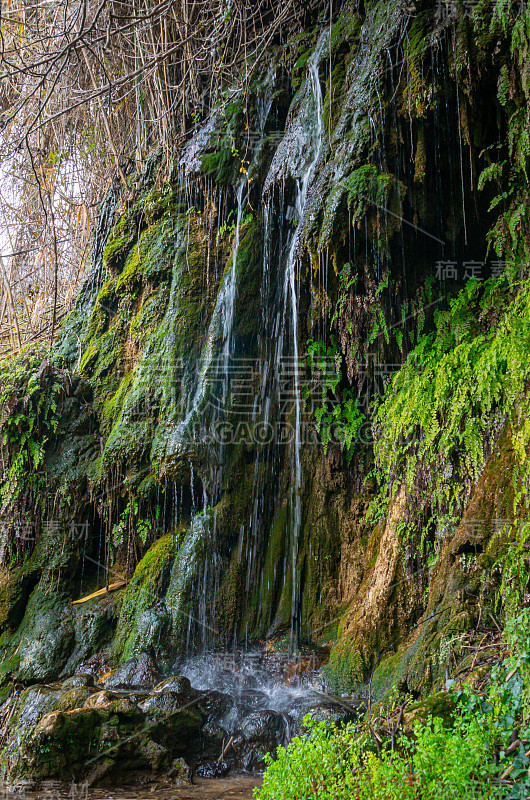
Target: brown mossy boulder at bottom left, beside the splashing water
(105,737)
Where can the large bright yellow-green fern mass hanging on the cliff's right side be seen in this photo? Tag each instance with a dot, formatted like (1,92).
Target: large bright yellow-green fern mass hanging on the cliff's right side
(445,407)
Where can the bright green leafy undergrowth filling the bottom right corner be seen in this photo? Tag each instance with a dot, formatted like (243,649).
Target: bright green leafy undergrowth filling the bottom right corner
(476,752)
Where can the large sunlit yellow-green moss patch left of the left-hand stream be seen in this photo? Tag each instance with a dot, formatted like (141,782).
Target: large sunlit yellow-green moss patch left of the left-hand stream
(128,341)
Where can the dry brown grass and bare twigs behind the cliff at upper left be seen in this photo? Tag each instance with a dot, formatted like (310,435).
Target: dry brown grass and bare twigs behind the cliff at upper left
(87,88)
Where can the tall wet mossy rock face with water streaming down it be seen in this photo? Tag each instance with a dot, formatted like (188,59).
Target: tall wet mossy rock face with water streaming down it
(202,431)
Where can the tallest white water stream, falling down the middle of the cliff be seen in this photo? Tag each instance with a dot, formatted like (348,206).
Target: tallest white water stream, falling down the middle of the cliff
(297,156)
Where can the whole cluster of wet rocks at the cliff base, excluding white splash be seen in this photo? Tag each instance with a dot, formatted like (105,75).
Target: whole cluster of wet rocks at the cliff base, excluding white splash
(115,735)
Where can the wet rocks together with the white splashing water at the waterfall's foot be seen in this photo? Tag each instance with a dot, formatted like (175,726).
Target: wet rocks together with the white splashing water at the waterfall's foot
(224,715)
